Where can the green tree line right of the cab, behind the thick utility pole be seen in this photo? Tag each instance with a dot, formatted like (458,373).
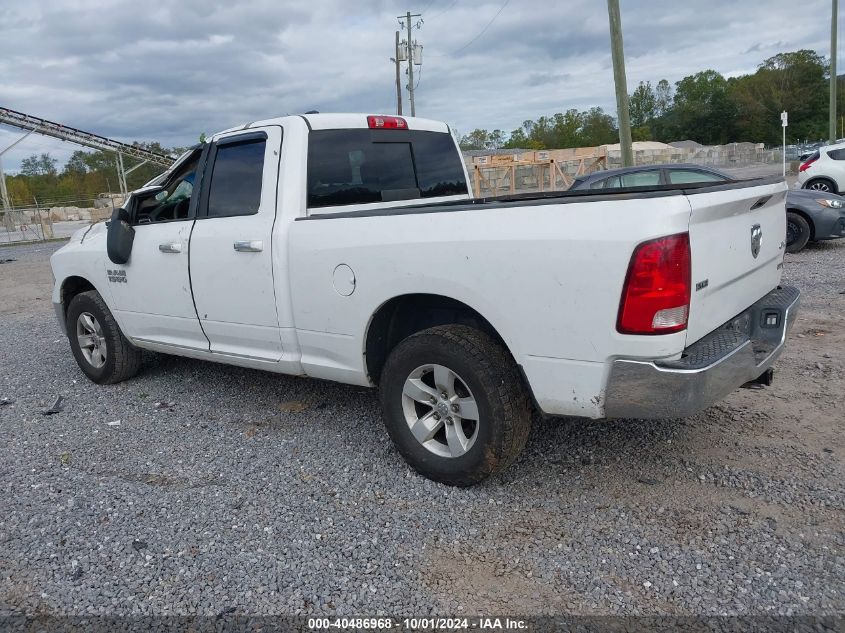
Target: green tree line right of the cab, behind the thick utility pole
(705,107)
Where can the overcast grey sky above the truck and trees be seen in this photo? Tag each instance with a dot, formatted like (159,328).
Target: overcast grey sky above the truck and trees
(192,66)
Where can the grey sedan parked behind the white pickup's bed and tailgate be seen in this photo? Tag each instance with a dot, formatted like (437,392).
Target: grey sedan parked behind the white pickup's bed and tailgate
(811,214)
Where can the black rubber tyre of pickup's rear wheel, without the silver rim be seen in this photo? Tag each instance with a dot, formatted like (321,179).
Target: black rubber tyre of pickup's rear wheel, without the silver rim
(494,382)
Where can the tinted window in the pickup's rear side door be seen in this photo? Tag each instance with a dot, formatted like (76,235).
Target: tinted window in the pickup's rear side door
(236,176)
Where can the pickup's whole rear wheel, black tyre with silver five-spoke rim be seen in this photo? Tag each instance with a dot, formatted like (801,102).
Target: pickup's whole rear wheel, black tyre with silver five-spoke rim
(455,404)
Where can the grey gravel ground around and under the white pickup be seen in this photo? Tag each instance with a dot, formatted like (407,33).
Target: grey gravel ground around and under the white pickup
(264,494)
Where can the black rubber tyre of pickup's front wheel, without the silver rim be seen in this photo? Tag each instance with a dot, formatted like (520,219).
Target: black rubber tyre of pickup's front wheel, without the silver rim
(122,359)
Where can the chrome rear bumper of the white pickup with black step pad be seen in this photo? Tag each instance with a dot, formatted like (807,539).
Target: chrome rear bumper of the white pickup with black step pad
(709,369)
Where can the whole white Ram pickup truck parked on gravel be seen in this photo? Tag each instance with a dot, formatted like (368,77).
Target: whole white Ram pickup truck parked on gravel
(349,248)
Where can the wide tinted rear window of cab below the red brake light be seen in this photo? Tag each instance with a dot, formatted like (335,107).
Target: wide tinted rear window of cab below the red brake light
(364,166)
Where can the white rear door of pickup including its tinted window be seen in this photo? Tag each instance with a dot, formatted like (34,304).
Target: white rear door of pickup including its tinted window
(231,245)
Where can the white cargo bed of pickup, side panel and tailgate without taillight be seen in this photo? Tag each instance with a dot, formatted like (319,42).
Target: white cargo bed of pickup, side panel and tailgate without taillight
(546,270)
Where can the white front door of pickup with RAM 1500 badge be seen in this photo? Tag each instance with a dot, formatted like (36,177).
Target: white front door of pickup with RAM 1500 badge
(152,291)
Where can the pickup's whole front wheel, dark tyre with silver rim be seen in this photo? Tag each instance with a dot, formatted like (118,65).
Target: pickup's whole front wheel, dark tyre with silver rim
(98,345)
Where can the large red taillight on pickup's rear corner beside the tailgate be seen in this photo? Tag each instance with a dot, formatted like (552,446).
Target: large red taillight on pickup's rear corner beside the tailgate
(655,298)
